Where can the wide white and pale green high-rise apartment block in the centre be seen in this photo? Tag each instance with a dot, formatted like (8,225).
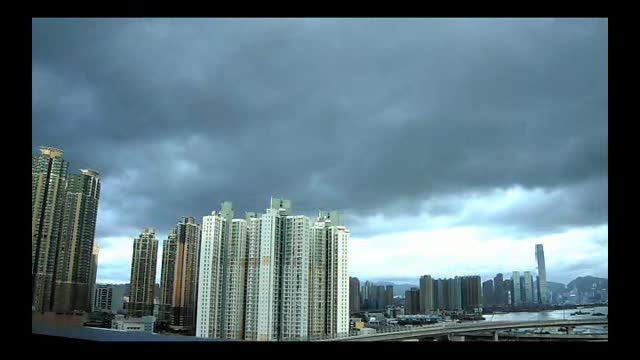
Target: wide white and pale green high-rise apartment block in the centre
(255,275)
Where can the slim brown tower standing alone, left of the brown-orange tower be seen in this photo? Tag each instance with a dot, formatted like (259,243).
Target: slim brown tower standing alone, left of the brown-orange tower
(143,274)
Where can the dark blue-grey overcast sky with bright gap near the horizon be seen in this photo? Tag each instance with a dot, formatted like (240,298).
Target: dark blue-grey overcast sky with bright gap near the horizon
(451,146)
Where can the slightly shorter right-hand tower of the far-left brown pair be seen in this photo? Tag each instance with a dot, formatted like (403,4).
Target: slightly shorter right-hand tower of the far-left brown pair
(74,277)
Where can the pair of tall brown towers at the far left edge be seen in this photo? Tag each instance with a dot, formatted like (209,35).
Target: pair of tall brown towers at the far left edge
(64,209)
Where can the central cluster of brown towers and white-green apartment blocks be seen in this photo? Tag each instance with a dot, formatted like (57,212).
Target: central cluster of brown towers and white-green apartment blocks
(273,276)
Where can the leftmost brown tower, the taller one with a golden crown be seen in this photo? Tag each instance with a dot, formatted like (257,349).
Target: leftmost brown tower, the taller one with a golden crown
(48,180)
